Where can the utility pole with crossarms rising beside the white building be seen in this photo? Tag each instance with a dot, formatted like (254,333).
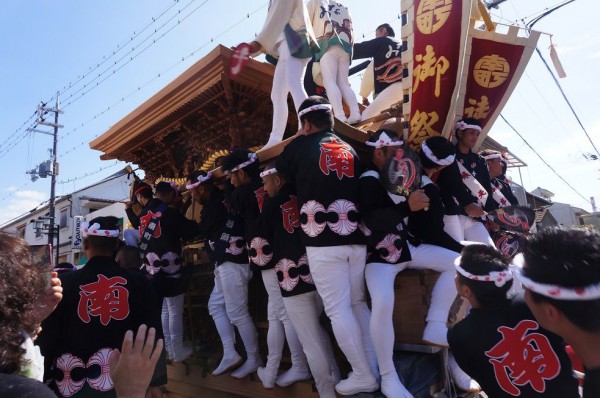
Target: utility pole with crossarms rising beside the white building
(43,172)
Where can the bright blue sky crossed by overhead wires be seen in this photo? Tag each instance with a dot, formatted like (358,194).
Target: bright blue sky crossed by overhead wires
(48,45)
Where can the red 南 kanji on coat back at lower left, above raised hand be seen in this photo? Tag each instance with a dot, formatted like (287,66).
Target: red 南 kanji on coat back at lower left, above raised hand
(107,298)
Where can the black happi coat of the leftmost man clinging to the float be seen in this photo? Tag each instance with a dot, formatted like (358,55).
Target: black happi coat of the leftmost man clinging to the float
(162,258)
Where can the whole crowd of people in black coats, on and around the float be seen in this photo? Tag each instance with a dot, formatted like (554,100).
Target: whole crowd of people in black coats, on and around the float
(323,230)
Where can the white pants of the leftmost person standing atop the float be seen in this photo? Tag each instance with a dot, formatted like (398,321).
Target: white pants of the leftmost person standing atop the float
(288,78)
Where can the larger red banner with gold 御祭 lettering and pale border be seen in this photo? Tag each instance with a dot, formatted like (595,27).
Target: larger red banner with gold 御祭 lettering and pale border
(435,33)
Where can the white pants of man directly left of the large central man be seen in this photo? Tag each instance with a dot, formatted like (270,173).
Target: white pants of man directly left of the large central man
(304,311)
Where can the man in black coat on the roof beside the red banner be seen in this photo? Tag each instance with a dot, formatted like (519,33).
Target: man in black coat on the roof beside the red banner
(385,50)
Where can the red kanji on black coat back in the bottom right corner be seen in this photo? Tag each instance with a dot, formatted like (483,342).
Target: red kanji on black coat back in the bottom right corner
(522,357)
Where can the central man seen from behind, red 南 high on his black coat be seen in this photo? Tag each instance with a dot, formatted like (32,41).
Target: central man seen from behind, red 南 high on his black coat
(325,171)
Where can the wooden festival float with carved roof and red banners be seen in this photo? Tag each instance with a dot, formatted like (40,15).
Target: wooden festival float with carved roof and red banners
(455,61)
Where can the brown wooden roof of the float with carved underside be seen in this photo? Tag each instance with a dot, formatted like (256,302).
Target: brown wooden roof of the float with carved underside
(198,113)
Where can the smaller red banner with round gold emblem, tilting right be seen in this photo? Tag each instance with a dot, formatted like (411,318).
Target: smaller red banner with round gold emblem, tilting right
(496,62)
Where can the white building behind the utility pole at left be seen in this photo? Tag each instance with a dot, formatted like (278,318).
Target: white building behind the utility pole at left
(100,199)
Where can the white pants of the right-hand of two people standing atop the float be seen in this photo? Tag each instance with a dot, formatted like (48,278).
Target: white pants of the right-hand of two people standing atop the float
(334,69)
